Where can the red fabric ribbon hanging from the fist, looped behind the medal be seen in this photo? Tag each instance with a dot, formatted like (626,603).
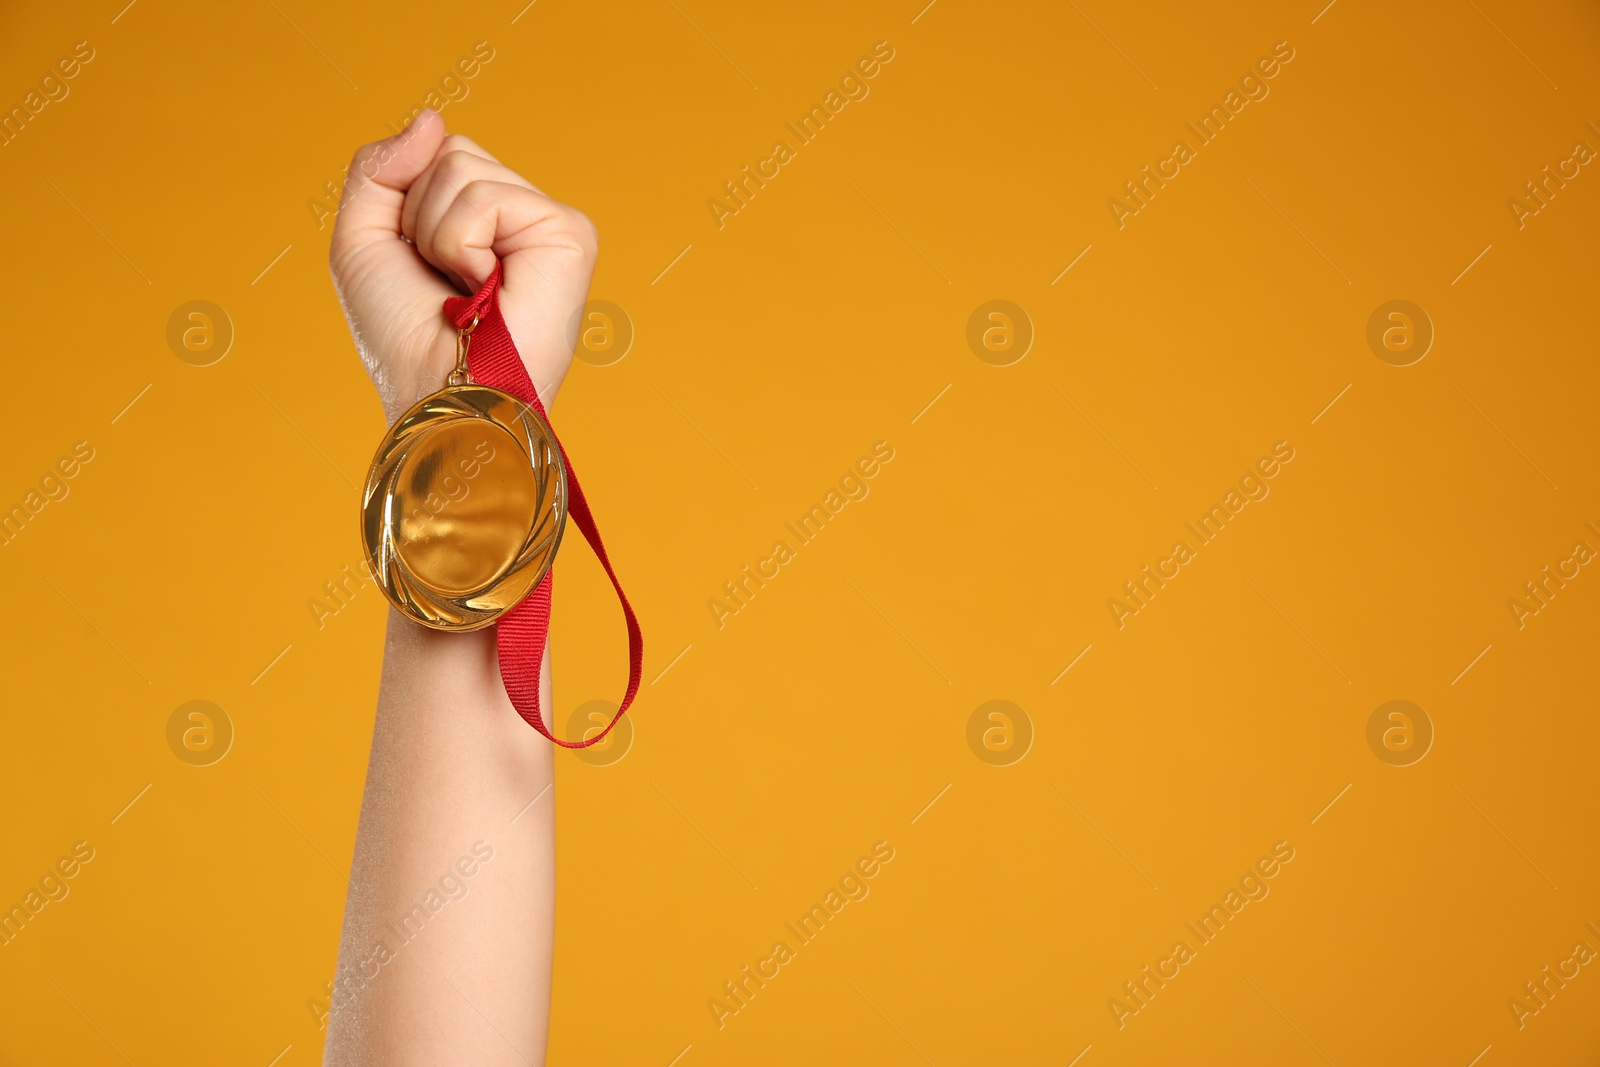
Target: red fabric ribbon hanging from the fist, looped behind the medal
(524,631)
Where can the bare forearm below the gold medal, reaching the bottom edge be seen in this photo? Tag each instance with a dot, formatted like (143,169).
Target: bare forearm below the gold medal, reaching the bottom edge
(439,965)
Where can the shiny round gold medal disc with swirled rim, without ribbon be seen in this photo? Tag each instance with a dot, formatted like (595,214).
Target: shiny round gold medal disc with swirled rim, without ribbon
(465,508)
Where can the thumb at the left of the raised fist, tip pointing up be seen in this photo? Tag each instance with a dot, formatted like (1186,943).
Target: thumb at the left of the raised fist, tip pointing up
(377,185)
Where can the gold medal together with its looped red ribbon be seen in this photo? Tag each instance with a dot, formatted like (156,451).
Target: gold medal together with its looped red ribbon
(466,503)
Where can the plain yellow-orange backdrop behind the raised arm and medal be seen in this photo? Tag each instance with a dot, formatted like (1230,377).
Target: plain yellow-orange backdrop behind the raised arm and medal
(830,713)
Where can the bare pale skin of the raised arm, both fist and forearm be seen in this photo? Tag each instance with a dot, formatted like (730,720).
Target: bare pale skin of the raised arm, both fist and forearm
(454,769)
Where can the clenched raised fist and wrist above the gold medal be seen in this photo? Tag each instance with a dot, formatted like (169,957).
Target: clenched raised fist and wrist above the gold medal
(425,217)
